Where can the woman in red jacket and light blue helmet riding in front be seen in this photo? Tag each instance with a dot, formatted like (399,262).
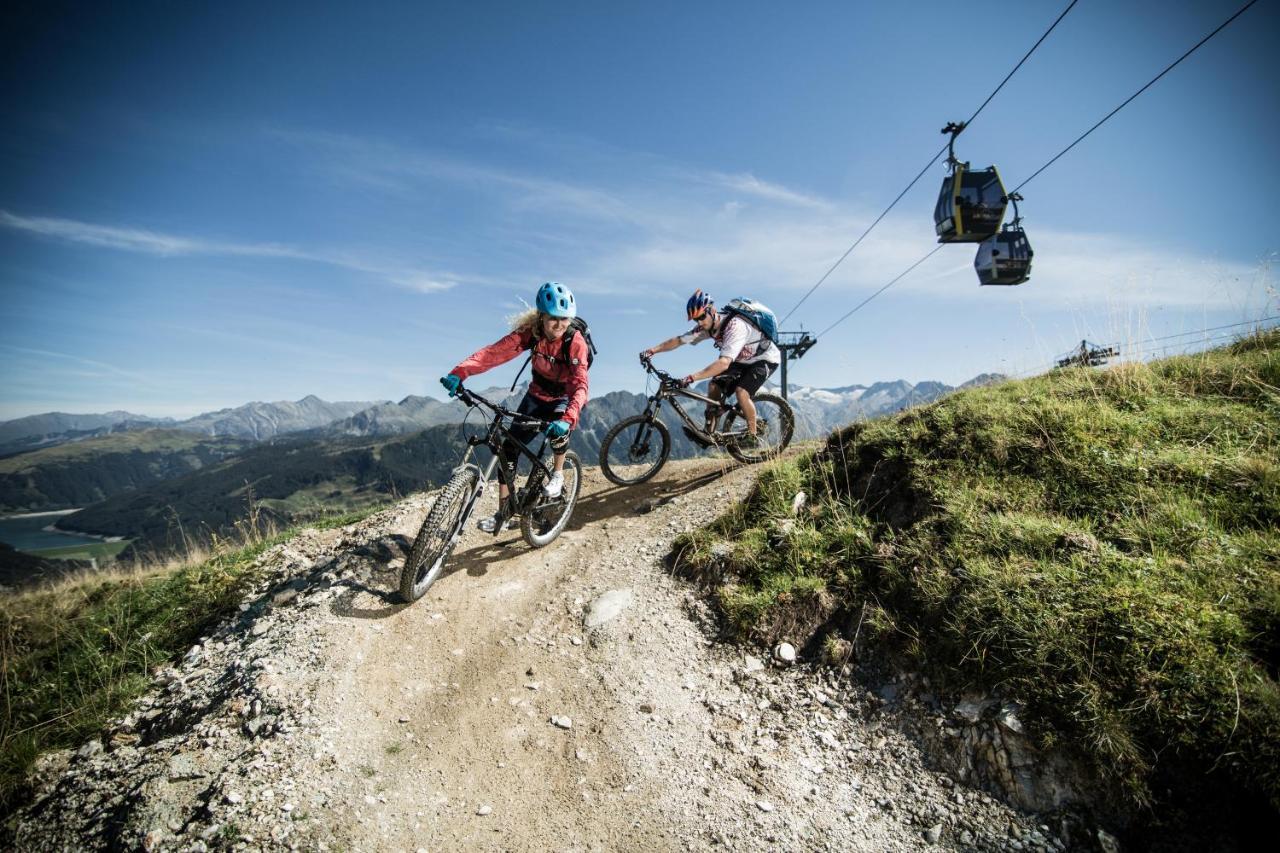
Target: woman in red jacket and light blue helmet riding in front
(559,389)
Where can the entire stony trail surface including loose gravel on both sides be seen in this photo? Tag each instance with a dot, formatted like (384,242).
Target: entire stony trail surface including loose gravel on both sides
(570,699)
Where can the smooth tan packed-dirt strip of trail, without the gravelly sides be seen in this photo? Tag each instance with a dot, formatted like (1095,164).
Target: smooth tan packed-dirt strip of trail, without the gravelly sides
(446,708)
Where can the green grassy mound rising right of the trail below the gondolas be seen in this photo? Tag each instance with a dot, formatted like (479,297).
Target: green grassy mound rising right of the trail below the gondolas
(1104,546)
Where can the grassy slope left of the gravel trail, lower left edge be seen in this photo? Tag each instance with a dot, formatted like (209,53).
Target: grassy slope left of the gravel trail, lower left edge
(79,653)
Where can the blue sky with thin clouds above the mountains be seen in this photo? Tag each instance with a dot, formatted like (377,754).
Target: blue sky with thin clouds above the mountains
(204,206)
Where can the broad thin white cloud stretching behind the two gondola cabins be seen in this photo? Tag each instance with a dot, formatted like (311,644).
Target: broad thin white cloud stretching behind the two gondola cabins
(719,230)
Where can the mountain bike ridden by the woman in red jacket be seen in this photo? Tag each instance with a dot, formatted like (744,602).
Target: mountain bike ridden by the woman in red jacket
(542,519)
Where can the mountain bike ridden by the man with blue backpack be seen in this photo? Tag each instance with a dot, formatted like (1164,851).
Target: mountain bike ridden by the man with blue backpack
(638,448)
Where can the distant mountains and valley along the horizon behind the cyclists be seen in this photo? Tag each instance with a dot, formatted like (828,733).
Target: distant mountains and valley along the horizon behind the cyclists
(161,482)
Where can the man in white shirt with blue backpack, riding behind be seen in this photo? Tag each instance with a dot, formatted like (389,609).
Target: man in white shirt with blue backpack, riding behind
(748,358)
